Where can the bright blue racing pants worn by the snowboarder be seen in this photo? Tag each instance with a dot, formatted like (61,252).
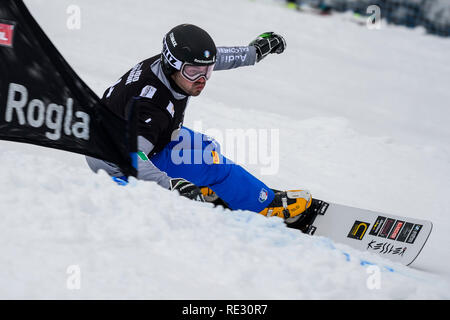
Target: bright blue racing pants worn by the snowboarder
(197,158)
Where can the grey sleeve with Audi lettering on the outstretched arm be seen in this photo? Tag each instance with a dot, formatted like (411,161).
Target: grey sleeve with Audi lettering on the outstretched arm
(235,57)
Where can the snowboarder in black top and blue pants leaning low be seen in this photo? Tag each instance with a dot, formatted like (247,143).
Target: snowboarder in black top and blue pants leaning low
(162,86)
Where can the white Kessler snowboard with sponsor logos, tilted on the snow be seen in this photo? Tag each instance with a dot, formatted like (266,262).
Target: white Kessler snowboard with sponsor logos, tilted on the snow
(396,238)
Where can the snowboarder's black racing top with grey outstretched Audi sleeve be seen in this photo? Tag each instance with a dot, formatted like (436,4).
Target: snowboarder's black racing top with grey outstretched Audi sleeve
(161,103)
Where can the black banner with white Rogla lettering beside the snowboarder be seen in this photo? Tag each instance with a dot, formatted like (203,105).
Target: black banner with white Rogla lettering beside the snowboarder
(44,102)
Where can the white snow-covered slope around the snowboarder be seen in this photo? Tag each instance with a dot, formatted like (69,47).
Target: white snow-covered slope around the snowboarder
(363,121)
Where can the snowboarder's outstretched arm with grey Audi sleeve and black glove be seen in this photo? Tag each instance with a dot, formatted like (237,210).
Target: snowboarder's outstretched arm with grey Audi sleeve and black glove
(258,49)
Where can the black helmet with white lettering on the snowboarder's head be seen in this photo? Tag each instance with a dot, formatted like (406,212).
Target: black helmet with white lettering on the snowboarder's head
(187,44)
